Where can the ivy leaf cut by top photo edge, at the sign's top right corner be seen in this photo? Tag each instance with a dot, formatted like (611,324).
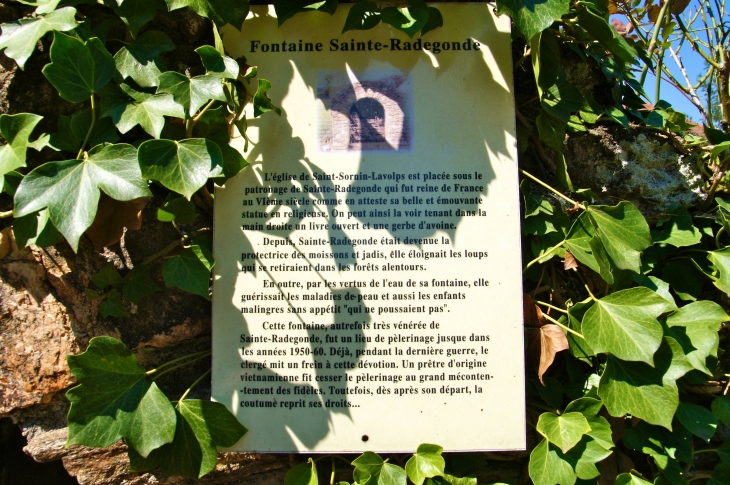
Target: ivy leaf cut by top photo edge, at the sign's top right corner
(530,16)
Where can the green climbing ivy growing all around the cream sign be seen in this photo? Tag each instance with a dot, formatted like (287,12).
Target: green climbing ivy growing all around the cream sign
(624,318)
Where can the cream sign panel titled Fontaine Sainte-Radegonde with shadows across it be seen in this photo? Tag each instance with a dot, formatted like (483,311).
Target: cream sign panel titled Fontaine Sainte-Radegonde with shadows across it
(367,287)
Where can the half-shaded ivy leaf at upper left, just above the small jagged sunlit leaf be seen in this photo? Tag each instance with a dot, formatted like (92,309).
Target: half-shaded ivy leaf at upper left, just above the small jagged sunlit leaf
(140,60)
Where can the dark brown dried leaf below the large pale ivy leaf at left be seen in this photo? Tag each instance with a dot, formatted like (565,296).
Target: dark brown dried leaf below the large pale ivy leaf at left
(112,217)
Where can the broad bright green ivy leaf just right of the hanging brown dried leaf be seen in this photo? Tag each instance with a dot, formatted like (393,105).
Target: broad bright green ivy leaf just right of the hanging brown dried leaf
(625,324)
